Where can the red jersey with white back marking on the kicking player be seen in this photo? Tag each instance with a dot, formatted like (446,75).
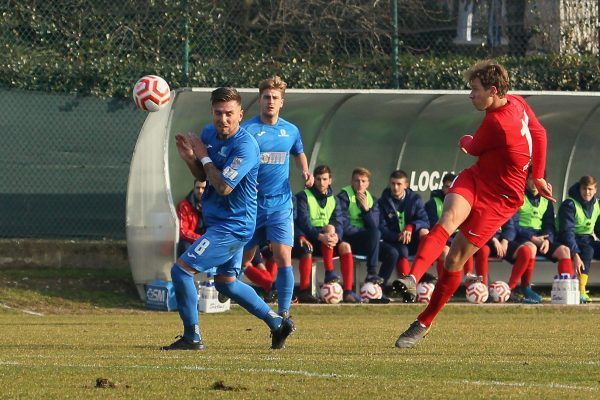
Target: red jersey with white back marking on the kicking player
(509,139)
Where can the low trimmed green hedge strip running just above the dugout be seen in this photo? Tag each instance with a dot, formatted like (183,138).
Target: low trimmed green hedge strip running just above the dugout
(109,77)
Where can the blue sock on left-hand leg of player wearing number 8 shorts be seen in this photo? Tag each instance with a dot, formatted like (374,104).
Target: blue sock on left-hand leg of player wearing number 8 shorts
(187,302)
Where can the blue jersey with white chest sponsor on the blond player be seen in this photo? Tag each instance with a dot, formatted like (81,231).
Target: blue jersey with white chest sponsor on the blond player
(276,143)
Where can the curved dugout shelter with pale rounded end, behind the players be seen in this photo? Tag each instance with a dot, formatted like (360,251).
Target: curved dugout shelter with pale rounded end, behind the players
(416,131)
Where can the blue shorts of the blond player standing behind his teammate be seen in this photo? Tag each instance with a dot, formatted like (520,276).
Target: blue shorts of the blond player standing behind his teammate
(274,226)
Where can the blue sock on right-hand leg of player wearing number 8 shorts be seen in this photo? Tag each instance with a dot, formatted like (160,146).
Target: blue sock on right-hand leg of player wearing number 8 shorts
(246,297)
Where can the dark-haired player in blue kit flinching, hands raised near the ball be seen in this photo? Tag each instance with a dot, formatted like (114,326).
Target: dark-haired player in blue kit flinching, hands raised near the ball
(226,156)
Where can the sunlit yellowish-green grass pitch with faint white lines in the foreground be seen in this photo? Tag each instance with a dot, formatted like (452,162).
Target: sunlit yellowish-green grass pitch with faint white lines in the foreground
(103,351)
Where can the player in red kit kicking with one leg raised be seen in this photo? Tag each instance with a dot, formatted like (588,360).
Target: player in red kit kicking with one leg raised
(484,196)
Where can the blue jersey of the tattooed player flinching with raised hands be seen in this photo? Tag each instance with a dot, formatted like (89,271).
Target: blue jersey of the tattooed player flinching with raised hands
(237,158)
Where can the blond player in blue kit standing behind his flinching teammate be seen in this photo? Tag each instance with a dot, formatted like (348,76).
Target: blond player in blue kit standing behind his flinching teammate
(277,140)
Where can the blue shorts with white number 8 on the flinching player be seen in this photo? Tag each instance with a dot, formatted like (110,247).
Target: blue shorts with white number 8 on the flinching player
(216,252)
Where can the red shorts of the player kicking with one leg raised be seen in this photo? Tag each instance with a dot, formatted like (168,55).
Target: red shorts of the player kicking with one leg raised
(489,209)
